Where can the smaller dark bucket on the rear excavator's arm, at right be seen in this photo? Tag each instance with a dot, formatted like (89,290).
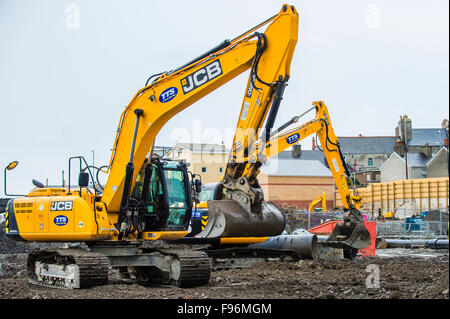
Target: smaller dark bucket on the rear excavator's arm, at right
(351,233)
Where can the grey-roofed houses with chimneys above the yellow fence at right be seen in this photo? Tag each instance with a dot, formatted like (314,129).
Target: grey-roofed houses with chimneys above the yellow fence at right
(411,153)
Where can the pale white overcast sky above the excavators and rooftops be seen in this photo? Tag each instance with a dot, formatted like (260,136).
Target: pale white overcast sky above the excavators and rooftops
(68,68)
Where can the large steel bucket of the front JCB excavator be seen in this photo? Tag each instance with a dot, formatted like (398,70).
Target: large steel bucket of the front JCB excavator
(226,218)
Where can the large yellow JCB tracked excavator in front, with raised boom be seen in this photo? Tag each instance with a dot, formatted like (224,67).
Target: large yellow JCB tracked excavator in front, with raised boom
(146,198)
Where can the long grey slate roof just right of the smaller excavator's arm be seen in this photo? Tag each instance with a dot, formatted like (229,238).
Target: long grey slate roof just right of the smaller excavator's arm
(367,144)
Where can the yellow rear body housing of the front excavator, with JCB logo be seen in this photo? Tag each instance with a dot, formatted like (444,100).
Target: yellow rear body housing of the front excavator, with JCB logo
(58,217)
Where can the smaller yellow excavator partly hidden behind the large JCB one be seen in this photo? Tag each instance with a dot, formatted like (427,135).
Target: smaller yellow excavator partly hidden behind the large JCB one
(351,234)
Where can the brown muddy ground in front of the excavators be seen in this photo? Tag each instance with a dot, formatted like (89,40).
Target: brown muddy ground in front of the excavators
(399,277)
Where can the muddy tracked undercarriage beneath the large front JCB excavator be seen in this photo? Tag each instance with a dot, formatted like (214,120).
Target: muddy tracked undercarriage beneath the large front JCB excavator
(71,268)
